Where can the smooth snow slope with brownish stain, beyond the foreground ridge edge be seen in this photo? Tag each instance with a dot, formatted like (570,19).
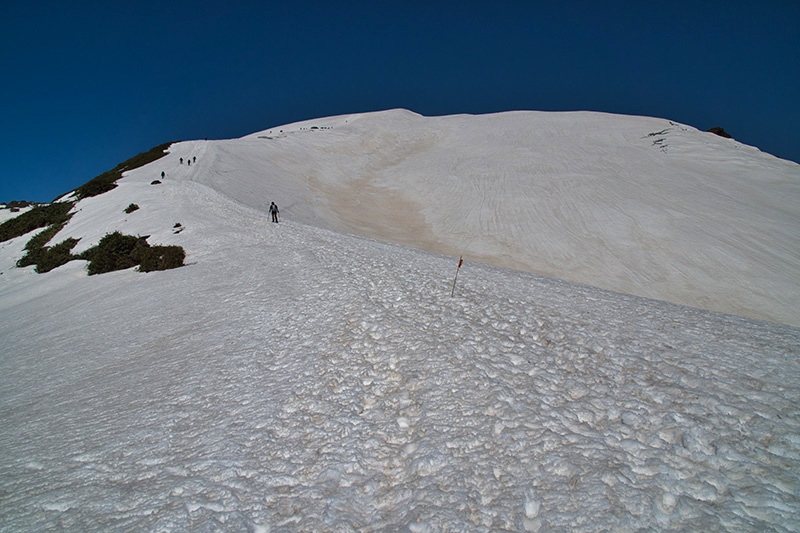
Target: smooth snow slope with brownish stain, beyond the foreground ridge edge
(639,205)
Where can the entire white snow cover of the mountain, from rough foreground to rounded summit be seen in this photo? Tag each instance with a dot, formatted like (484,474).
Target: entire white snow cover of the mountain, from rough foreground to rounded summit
(298,377)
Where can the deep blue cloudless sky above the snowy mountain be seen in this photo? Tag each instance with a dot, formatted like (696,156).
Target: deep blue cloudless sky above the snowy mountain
(86,85)
